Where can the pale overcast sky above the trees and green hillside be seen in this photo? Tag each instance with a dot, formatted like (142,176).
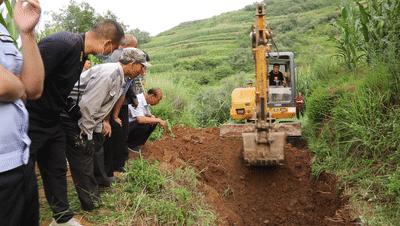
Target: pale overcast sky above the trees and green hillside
(157,15)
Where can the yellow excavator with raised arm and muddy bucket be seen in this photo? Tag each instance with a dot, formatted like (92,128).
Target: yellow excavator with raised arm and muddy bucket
(268,110)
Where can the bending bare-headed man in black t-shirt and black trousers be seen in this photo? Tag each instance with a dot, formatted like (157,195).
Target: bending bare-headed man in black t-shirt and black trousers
(64,55)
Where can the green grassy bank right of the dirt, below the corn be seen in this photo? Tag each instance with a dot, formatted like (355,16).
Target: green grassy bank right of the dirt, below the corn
(353,129)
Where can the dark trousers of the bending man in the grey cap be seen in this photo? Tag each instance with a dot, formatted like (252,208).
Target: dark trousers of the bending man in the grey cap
(81,161)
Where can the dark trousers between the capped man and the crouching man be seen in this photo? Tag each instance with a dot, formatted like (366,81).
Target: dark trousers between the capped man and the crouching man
(115,147)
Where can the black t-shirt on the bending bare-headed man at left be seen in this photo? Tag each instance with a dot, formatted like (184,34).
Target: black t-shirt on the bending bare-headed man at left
(63,60)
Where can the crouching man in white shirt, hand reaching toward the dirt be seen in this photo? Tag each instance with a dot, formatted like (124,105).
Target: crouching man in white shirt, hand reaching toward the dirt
(141,122)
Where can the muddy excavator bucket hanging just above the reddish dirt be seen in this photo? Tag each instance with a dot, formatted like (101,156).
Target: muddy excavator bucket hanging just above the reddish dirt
(264,154)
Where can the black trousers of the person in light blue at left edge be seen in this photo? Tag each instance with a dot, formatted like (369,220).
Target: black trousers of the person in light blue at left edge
(19,203)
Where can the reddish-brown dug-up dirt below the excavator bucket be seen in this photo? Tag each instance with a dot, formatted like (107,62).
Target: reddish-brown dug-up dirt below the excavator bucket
(243,195)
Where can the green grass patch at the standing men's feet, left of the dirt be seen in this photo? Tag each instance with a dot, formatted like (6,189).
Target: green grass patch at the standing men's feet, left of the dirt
(147,195)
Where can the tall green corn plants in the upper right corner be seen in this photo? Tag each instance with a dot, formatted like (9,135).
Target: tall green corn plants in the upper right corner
(369,28)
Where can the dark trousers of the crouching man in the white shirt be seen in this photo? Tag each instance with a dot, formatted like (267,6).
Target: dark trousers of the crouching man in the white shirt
(139,133)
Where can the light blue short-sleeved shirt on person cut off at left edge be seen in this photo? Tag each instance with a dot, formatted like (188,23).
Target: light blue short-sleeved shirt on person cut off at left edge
(14,141)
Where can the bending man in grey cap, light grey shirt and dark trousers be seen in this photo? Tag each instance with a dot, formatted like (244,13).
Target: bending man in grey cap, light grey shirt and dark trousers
(95,93)
